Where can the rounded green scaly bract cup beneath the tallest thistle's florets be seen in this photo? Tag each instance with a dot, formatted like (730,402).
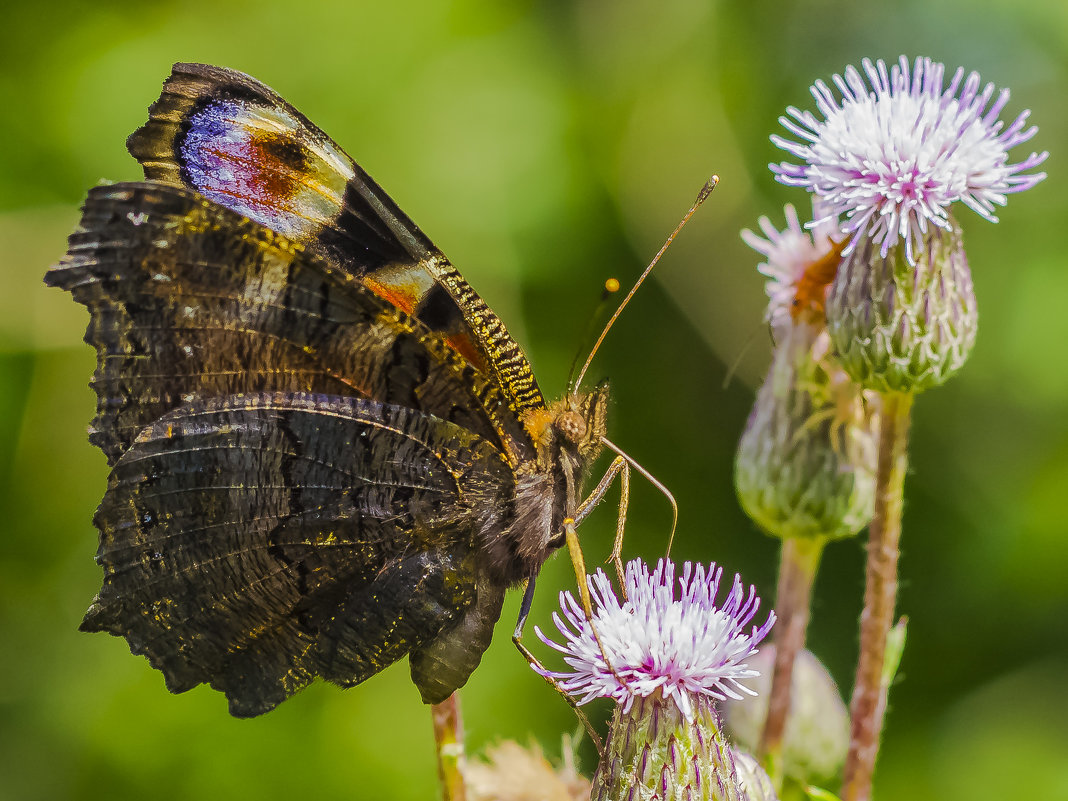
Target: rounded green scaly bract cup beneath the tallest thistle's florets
(904,328)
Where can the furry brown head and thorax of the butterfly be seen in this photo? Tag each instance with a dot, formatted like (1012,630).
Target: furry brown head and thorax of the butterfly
(568,439)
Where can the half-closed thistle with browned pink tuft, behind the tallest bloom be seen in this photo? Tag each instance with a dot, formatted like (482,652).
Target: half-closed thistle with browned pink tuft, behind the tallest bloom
(806,465)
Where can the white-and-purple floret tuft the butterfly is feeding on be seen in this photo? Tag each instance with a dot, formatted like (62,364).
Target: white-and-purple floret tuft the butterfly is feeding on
(679,643)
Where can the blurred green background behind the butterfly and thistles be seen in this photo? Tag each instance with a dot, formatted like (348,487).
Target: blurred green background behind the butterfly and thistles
(546,147)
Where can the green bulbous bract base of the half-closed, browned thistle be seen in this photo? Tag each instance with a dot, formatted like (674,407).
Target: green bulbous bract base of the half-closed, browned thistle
(806,463)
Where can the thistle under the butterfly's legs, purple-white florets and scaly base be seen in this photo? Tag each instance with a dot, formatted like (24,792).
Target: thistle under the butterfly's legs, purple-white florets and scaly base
(670,656)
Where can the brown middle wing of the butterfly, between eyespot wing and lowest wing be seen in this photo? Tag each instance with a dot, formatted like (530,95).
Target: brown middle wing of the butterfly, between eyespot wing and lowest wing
(191,301)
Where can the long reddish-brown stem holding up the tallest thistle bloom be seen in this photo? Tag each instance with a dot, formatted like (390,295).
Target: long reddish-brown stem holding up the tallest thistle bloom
(869,705)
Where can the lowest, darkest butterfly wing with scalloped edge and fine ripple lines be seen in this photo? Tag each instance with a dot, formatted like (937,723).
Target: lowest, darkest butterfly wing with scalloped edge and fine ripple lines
(257,542)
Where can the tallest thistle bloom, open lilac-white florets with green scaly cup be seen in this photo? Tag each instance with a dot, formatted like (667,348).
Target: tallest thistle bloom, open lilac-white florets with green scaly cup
(889,159)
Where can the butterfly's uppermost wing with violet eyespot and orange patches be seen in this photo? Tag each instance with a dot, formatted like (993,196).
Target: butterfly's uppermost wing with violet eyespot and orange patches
(240,144)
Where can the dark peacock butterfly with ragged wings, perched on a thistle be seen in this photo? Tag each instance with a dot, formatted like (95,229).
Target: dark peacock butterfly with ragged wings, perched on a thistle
(326,451)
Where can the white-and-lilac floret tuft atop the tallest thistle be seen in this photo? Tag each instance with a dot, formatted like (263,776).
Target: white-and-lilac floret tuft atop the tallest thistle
(893,154)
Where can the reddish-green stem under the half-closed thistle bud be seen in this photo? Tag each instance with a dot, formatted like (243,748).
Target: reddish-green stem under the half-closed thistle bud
(797,572)
